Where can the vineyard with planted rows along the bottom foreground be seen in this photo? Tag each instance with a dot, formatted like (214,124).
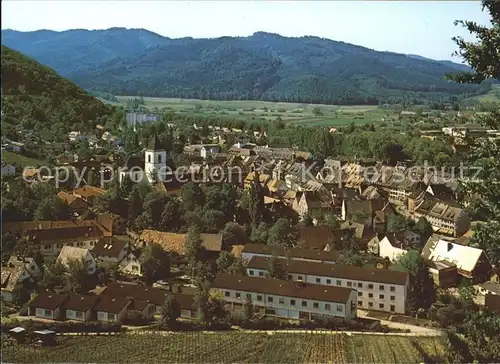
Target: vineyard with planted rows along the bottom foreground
(198,347)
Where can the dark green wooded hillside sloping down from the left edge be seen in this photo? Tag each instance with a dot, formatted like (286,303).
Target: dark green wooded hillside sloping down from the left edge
(36,97)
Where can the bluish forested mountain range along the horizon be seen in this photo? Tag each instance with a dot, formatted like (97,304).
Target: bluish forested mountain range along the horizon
(262,66)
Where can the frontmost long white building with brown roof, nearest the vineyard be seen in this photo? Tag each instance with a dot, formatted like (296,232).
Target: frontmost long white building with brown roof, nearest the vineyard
(287,299)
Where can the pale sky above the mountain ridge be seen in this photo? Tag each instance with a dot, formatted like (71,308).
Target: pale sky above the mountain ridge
(411,27)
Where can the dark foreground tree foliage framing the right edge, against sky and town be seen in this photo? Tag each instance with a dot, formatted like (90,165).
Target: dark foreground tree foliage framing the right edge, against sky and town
(484,57)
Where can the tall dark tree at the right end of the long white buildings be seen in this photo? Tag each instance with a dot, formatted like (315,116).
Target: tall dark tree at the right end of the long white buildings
(421,290)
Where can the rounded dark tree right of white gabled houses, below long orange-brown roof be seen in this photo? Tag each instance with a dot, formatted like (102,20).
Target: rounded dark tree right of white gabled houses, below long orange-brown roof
(155,262)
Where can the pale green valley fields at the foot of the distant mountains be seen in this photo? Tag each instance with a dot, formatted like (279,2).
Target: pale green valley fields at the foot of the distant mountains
(264,110)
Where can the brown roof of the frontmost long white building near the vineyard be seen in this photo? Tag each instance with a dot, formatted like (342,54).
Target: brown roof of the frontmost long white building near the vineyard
(283,288)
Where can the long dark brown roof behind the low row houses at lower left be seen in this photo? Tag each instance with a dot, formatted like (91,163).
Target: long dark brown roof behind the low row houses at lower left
(156,296)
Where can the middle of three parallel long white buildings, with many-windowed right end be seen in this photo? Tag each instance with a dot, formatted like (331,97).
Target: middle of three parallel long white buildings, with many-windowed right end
(377,289)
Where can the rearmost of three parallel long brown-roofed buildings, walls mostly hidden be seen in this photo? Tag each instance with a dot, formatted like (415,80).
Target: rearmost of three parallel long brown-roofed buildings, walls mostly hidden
(251,250)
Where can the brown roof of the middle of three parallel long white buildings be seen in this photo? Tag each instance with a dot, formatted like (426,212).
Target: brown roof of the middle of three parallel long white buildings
(343,271)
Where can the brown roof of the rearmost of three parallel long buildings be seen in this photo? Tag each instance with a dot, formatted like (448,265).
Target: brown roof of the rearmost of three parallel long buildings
(294,253)
